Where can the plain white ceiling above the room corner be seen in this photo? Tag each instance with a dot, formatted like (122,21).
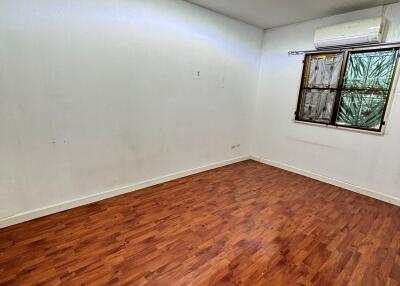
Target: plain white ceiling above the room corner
(271,13)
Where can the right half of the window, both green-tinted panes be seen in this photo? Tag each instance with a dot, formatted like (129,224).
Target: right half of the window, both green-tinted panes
(366,88)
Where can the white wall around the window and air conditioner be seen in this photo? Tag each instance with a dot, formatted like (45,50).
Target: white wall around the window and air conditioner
(368,161)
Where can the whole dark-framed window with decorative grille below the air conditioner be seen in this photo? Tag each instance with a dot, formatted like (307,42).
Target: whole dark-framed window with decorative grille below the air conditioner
(347,88)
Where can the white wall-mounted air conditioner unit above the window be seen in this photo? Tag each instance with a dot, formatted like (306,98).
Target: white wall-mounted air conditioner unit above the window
(360,32)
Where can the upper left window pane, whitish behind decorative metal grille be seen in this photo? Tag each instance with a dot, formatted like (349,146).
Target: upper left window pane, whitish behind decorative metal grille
(323,70)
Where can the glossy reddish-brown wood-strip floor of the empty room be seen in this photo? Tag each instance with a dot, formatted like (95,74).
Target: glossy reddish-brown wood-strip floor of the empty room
(247,224)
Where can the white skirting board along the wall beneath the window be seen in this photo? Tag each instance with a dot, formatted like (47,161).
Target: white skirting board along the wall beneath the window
(331,181)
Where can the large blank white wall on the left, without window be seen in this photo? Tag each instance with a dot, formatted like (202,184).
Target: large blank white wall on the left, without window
(96,95)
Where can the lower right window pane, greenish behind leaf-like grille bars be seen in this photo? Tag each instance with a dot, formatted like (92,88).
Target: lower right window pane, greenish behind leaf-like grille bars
(364,110)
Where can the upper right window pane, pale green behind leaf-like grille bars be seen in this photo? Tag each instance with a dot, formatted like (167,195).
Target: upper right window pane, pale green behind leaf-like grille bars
(370,70)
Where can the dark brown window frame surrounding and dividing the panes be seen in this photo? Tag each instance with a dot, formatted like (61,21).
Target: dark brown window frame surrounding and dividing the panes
(335,110)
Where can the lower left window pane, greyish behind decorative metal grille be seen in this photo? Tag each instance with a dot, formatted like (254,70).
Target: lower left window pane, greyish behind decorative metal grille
(318,105)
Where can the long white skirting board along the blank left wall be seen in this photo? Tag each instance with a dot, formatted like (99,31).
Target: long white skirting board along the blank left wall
(29,215)
